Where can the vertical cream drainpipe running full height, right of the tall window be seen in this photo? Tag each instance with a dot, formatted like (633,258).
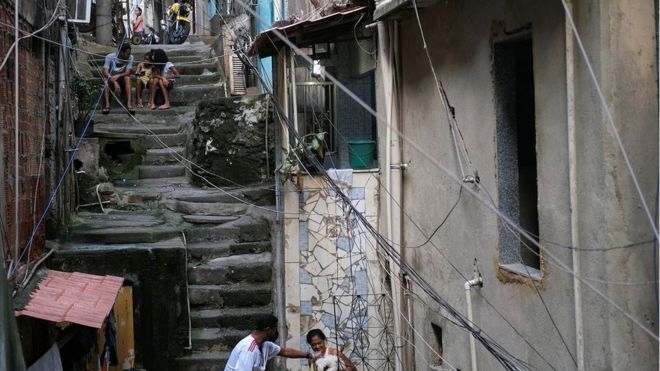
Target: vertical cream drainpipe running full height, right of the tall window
(572,181)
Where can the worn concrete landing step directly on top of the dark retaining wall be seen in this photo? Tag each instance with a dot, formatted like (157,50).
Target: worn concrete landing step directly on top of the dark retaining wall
(123,235)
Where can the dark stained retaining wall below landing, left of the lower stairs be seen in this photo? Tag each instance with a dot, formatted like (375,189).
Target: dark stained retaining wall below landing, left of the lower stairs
(158,277)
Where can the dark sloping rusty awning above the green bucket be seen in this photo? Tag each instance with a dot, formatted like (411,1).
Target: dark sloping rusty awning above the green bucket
(308,32)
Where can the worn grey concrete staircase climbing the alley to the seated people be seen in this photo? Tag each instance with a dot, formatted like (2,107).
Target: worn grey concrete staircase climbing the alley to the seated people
(226,231)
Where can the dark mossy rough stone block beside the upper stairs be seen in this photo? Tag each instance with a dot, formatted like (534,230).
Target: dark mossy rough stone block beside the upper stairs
(232,137)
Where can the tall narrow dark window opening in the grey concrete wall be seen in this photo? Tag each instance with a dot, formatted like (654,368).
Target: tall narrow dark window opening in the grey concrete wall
(516,152)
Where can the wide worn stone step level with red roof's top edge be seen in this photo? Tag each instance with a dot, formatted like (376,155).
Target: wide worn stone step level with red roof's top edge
(232,269)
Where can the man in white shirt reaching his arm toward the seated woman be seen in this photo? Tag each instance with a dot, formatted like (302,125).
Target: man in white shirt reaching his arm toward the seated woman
(253,352)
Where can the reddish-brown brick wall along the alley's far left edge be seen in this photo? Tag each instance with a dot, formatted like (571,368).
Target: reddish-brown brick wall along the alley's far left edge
(37,84)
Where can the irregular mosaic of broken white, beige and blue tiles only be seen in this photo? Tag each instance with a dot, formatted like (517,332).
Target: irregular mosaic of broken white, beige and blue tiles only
(338,292)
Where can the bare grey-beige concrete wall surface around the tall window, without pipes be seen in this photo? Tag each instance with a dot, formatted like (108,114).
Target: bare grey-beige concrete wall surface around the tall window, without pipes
(620,38)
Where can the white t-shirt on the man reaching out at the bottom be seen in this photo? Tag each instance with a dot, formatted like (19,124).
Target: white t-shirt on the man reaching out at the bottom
(247,356)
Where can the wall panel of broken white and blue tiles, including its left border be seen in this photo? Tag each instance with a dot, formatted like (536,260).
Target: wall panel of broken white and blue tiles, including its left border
(334,280)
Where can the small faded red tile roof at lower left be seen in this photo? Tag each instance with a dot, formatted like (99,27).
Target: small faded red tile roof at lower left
(80,298)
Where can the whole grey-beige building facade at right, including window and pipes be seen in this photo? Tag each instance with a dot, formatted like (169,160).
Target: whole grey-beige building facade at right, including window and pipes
(522,142)
